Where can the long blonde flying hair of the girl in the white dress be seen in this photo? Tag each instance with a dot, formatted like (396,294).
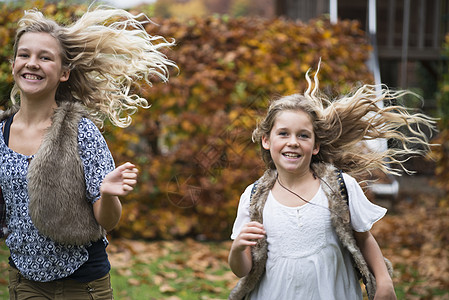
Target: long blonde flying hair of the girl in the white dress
(340,126)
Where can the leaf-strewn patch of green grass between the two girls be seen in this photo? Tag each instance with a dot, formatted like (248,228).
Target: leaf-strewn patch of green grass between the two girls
(175,269)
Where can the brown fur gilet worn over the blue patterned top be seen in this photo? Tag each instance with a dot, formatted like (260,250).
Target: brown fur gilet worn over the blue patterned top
(56,185)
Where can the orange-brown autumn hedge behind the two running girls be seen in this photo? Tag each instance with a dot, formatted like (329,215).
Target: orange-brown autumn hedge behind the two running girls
(193,146)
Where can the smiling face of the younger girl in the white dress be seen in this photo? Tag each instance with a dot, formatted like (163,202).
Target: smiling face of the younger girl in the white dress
(291,142)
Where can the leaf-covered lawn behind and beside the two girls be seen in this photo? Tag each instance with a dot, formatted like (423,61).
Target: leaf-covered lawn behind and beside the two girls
(413,235)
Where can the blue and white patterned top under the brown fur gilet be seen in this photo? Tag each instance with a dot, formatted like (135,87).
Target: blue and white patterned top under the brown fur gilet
(36,256)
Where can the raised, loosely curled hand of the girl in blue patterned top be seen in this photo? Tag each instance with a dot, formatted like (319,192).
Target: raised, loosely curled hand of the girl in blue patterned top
(120,181)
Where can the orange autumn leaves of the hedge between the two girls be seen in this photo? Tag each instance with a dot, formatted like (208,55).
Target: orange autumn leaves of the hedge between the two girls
(229,68)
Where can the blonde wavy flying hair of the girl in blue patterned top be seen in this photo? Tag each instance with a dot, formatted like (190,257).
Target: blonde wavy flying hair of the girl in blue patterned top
(106,51)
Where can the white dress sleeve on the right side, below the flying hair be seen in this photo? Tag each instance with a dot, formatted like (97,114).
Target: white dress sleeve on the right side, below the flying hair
(363,212)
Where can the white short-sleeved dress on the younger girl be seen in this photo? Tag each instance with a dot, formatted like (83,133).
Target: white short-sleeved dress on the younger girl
(305,257)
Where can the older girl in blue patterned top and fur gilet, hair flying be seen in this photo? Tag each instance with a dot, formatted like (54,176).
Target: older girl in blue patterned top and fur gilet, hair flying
(57,174)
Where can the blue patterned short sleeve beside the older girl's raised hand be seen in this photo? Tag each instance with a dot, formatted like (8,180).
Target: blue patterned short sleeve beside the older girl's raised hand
(96,157)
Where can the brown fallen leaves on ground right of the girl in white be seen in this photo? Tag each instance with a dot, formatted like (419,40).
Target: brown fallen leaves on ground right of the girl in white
(415,239)
